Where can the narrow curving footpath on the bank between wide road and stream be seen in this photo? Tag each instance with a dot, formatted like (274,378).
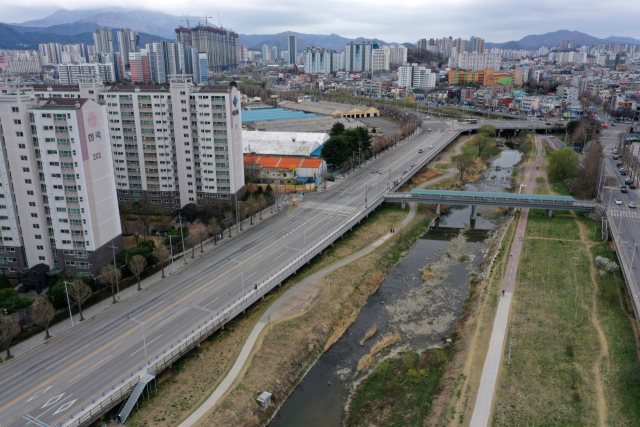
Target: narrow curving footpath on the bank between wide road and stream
(274,313)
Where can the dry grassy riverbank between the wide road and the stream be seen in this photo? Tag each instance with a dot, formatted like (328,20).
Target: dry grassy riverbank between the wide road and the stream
(190,382)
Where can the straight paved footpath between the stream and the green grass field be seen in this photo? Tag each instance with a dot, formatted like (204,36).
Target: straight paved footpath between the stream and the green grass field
(484,399)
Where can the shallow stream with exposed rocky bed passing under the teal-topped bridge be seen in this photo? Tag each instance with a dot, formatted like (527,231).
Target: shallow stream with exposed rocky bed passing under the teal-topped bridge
(422,311)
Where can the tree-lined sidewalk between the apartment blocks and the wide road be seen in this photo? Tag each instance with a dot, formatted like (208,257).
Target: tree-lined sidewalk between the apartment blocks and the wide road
(95,310)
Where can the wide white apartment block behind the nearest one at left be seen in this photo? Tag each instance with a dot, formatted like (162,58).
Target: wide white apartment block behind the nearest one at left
(172,145)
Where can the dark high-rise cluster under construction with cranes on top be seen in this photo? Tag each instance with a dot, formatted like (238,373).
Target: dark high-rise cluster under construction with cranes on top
(220,45)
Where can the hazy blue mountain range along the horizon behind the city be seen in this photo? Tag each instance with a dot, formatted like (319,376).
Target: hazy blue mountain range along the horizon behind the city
(76,26)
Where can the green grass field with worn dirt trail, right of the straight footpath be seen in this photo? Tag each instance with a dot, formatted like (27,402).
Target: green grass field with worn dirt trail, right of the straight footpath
(574,355)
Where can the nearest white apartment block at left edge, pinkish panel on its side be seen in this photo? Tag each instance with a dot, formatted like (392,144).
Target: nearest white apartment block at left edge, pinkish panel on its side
(59,204)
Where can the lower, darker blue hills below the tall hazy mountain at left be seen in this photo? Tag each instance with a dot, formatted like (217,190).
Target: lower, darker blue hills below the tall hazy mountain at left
(10,38)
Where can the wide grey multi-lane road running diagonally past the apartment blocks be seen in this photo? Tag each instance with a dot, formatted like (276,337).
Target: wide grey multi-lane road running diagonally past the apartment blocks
(51,381)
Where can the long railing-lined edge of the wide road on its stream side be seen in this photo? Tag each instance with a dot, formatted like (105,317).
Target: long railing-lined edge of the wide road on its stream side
(109,396)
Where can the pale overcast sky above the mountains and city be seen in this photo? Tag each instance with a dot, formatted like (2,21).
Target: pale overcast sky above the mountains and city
(392,21)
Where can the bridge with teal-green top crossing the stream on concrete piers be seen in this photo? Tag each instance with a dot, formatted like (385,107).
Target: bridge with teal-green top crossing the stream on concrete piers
(473,199)
